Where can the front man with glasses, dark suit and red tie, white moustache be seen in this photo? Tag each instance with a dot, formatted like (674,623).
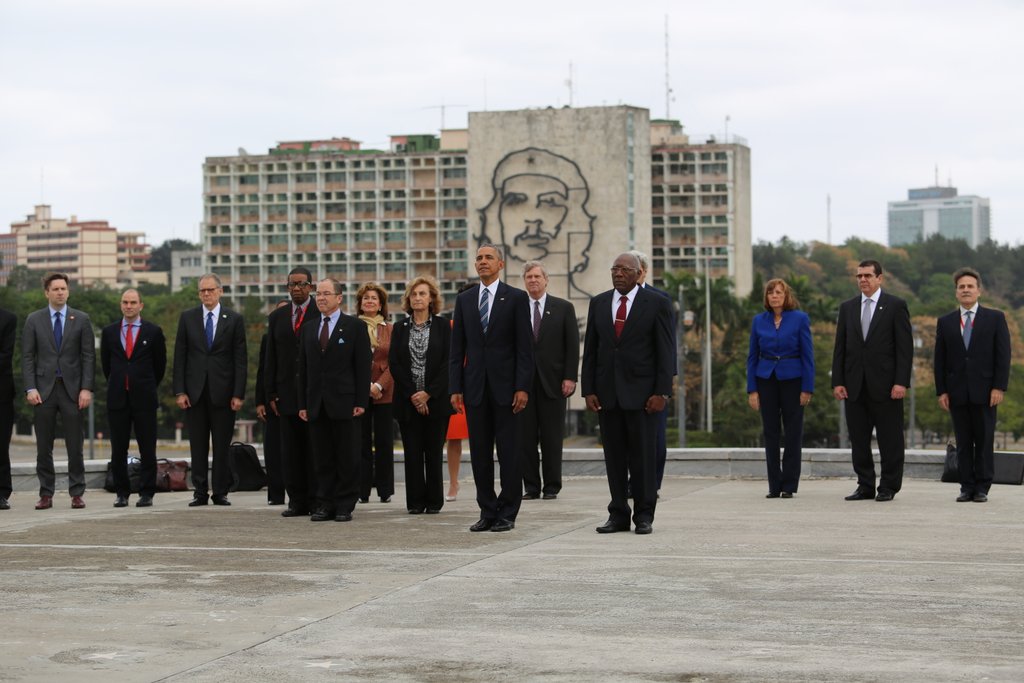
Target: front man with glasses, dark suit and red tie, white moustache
(627,377)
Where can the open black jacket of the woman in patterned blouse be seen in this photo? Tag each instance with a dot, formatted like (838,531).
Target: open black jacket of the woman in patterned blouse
(437,369)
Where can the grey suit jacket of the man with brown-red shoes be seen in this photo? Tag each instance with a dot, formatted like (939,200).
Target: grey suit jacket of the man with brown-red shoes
(77,358)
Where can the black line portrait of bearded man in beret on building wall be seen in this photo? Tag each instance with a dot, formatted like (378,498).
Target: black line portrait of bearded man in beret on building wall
(539,212)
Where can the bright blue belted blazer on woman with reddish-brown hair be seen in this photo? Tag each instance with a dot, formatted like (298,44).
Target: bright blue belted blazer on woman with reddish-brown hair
(788,352)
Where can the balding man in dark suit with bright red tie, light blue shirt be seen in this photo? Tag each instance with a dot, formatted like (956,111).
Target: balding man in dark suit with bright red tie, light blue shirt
(134,353)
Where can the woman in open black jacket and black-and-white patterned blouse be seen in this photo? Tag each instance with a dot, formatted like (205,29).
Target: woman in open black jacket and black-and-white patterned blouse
(419,361)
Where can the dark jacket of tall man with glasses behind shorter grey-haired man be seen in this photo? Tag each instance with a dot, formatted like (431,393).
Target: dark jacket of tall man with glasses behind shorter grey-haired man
(282,360)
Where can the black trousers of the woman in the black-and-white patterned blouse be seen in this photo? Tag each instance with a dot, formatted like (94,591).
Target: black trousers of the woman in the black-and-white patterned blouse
(423,442)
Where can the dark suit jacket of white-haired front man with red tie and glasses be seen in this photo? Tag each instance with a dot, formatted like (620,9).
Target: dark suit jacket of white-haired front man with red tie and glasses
(625,372)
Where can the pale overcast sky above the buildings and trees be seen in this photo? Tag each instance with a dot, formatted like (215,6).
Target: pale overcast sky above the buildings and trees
(109,108)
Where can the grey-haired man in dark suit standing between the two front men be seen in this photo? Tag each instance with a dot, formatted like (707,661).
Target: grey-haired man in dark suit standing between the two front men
(557,362)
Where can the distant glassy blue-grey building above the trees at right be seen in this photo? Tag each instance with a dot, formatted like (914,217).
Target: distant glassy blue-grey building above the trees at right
(931,211)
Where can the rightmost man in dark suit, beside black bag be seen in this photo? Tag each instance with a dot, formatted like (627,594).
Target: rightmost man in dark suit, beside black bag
(972,371)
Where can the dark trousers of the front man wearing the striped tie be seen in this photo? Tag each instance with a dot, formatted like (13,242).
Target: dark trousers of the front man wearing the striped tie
(491,425)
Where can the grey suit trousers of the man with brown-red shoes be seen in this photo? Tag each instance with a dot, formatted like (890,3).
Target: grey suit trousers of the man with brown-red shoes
(47,422)
